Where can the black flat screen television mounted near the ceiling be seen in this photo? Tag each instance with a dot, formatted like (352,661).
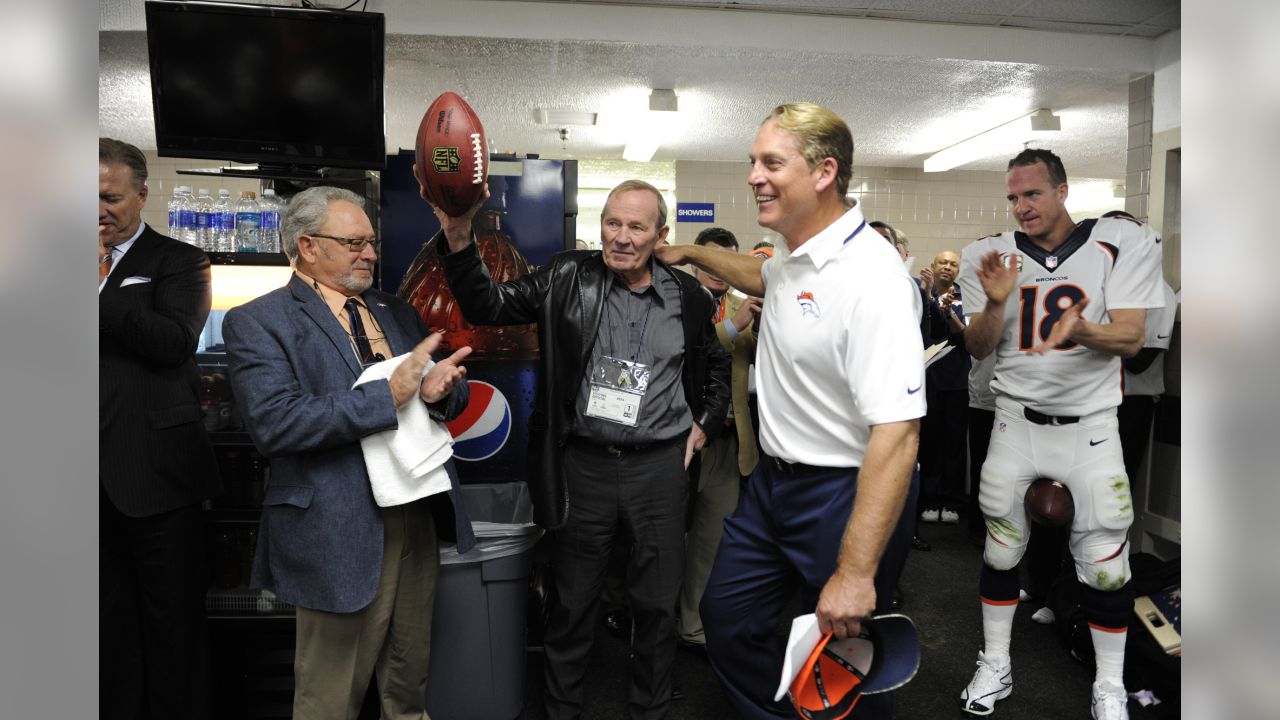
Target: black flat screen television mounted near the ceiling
(268,85)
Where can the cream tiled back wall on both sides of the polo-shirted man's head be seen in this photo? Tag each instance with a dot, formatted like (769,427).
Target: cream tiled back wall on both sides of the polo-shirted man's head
(936,211)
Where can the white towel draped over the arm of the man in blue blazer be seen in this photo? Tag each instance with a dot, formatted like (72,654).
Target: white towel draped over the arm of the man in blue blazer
(408,463)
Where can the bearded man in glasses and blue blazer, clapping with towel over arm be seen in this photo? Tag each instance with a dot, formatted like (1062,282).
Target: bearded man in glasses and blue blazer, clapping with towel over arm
(363,577)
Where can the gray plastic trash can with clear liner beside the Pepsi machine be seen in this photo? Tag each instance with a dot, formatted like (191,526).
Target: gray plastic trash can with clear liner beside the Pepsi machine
(478,632)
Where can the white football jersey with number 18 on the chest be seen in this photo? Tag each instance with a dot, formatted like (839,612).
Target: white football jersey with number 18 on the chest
(1114,262)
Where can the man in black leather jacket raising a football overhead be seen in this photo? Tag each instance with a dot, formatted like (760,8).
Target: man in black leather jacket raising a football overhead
(633,384)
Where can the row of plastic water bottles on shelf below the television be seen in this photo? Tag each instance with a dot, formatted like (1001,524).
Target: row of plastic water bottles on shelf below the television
(220,226)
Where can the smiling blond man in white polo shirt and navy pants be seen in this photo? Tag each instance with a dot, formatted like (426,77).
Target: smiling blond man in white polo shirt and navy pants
(840,380)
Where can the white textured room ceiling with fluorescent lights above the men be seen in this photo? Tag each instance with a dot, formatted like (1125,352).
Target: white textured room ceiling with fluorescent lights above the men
(909,76)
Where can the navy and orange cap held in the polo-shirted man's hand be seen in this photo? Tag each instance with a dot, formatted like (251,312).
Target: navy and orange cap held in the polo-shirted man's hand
(883,658)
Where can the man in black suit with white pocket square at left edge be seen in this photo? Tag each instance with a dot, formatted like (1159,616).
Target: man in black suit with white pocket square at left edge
(156,462)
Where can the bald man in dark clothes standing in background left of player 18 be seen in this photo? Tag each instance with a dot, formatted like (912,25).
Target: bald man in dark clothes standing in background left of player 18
(947,388)
